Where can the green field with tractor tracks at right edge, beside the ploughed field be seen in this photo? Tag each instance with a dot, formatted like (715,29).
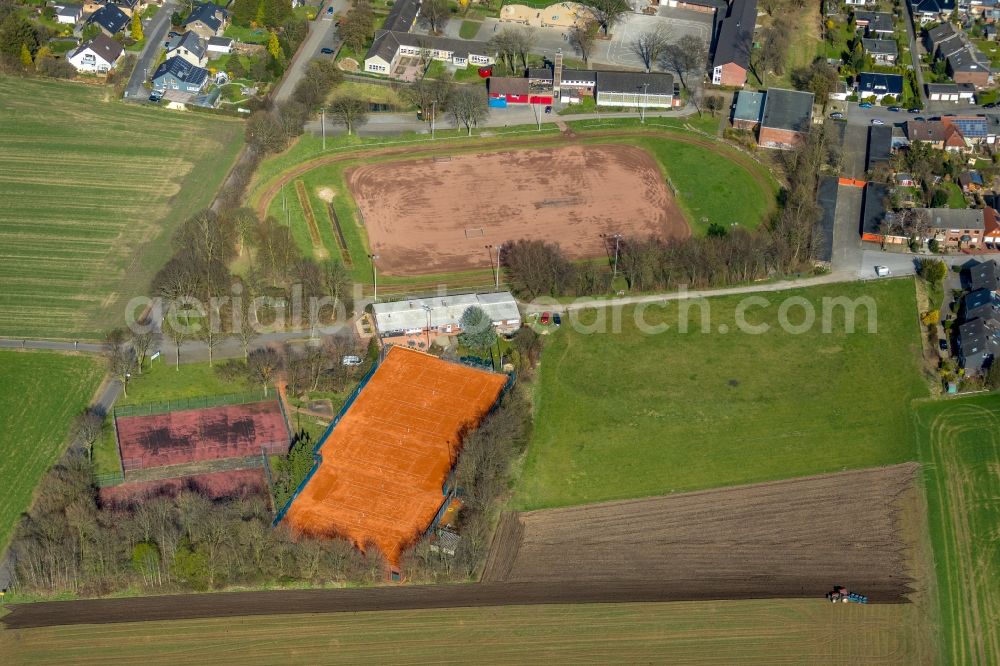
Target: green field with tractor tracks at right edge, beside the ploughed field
(959,444)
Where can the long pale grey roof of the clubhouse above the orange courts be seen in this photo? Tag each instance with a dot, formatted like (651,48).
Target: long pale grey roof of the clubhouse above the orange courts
(444,311)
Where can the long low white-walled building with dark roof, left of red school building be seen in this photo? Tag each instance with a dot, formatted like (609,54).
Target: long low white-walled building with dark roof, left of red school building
(389,49)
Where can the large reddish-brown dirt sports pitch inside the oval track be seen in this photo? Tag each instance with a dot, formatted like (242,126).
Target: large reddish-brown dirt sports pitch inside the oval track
(435,215)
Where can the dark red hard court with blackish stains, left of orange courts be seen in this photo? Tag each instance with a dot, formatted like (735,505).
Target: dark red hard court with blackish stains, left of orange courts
(175,438)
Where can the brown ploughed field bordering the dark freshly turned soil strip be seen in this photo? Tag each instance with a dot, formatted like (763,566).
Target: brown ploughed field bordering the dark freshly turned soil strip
(786,538)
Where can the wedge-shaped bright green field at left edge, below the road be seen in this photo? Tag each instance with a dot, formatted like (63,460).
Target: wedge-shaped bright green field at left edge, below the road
(40,393)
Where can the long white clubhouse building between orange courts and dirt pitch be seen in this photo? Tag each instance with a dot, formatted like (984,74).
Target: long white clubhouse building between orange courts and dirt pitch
(411,322)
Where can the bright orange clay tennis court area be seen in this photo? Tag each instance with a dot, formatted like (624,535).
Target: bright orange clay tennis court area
(385,462)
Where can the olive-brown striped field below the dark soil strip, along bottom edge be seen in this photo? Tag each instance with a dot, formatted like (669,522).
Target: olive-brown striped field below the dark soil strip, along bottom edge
(766,632)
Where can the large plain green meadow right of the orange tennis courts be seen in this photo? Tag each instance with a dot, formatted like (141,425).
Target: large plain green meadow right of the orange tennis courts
(631,414)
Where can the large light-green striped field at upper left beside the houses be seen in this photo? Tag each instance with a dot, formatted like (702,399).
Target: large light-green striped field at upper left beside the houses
(91,190)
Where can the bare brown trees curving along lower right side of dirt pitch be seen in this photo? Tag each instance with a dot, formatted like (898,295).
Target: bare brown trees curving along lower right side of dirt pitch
(723,257)
